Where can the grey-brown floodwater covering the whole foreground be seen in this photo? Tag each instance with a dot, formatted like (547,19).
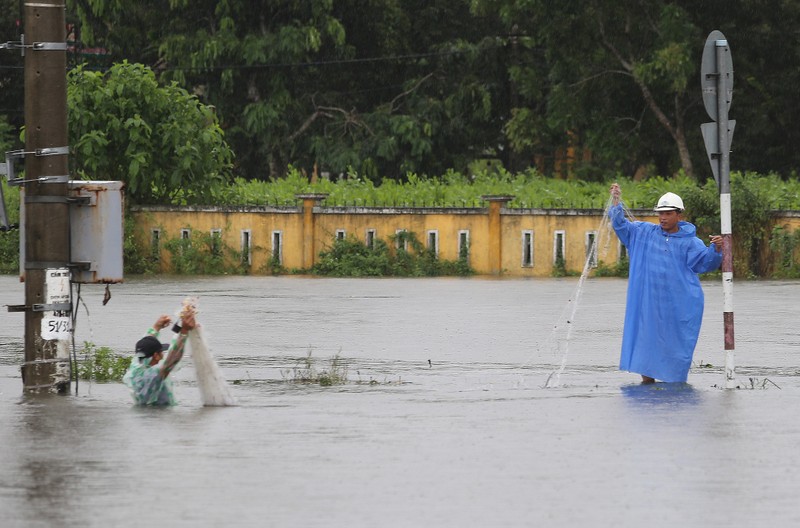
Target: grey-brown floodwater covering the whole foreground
(445,420)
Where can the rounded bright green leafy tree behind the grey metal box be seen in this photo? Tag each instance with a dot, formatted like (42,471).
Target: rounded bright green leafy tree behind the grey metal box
(160,140)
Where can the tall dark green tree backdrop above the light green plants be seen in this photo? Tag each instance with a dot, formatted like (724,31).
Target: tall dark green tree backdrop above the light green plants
(383,87)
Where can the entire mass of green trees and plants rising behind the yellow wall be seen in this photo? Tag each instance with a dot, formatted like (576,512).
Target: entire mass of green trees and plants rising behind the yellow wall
(367,101)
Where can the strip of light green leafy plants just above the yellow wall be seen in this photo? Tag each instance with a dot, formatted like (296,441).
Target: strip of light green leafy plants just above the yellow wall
(530,190)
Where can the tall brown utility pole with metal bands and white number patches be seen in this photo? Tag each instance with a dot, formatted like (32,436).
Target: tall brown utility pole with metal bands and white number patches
(46,220)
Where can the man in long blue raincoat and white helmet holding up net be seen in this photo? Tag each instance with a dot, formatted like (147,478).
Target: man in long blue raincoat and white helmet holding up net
(665,300)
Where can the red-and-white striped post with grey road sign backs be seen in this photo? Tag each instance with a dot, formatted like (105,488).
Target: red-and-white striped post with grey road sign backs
(716,78)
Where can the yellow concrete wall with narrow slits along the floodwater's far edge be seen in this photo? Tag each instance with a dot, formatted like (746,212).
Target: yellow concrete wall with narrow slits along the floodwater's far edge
(262,222)
